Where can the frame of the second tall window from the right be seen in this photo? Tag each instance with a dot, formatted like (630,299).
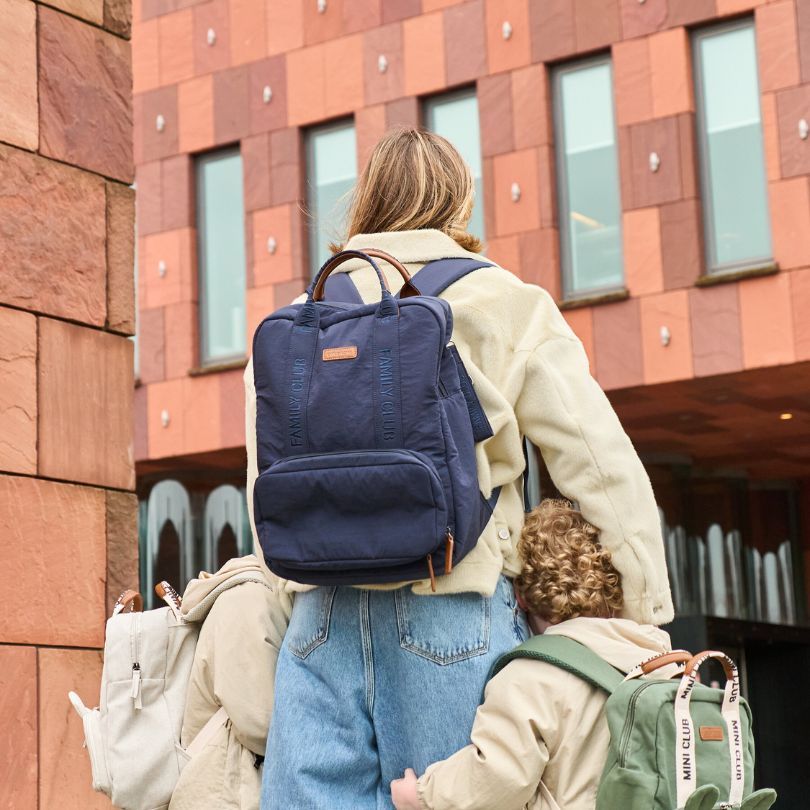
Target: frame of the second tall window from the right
(569,292)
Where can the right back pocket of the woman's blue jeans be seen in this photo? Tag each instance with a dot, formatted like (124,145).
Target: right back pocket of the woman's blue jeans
(443,629)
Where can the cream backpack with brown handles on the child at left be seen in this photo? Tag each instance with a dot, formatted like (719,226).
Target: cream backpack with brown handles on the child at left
(133,736)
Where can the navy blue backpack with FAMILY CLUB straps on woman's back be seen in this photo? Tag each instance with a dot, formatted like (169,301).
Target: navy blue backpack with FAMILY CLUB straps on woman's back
(366,425)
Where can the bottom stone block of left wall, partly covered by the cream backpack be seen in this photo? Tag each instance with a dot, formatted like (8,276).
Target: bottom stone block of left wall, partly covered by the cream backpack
(64,771)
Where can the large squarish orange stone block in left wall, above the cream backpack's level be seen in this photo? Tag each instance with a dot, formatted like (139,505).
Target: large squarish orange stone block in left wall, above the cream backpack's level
(52,564)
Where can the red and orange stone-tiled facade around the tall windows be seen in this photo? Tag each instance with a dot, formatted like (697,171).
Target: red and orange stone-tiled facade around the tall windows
(321,66)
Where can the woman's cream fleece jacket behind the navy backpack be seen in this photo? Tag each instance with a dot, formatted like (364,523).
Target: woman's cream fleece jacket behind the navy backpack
(531,375)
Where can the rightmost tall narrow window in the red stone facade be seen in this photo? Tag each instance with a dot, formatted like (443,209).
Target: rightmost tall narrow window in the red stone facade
(731,149)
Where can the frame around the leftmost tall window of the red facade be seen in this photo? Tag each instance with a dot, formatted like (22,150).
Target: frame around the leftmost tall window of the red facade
(204,357)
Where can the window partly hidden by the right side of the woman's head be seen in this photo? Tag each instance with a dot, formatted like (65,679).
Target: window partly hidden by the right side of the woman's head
(455,116)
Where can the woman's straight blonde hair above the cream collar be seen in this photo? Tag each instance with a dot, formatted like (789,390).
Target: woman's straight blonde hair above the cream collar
(414,180)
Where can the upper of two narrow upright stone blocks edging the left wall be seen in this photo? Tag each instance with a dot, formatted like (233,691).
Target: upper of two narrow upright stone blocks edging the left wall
(120,258)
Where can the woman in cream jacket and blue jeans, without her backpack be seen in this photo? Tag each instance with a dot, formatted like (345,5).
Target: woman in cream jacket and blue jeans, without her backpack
(356,661)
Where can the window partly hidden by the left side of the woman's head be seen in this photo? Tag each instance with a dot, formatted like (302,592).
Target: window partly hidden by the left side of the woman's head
(331,173)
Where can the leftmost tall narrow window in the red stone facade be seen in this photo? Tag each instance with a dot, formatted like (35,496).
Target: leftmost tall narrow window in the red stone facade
(221,251)
